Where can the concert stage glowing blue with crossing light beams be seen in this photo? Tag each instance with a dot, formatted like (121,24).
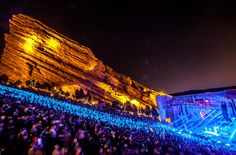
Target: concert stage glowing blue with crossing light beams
(210,114)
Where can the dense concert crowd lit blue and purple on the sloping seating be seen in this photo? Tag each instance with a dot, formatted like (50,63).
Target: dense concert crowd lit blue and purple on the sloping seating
(27,128)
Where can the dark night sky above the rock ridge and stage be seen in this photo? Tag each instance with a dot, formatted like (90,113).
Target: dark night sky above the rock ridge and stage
(169,46)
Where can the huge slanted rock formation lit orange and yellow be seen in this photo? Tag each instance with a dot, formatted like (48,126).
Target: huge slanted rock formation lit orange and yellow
(35,51)
